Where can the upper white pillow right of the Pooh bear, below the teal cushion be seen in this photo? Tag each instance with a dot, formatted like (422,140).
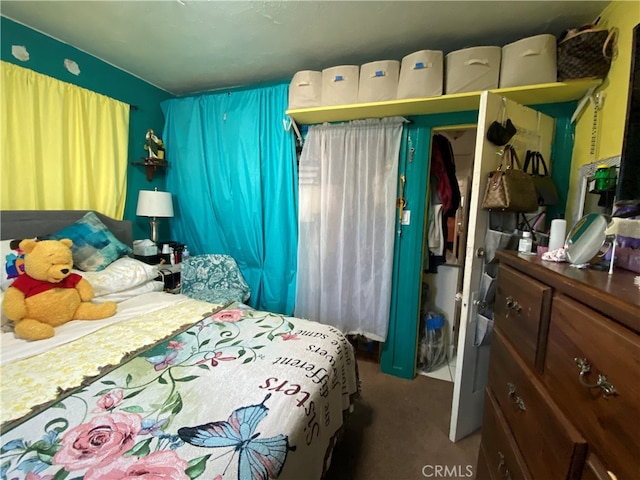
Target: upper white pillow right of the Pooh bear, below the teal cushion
(123,274)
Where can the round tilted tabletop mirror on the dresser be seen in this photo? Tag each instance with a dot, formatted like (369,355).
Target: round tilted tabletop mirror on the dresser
(586,238)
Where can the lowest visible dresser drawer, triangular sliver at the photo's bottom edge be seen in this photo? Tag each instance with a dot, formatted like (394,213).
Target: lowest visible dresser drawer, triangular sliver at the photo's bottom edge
(501,454)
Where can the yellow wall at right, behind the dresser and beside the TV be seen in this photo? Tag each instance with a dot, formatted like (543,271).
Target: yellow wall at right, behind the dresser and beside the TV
(624,15)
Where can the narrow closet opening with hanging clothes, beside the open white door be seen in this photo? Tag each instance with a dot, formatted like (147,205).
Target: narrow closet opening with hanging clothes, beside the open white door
(445,238)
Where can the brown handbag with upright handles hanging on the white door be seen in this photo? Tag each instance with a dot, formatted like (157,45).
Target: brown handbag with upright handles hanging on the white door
(510,189)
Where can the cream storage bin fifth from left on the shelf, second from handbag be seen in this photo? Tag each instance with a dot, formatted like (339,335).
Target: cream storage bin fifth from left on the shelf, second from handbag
(472,69)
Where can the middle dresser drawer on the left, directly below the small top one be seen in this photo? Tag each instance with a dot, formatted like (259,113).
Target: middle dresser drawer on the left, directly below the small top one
(551,446)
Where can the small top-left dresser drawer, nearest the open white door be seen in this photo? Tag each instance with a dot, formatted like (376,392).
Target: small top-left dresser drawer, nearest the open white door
(521,309)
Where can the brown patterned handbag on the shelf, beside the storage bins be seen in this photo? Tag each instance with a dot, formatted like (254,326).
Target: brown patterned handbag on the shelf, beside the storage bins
(586,53)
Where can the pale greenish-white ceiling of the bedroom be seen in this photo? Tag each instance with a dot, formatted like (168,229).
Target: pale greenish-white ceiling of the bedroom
(187,46)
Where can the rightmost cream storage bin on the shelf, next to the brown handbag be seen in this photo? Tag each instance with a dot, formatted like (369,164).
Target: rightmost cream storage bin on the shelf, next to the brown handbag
(529,61)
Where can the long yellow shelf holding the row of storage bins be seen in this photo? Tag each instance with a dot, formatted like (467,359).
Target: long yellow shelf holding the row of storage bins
(458,102)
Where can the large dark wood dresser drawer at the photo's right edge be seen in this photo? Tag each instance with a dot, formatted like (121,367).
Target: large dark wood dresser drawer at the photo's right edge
(613,353)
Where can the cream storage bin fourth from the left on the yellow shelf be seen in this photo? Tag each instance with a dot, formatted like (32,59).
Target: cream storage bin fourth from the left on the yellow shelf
(421,74)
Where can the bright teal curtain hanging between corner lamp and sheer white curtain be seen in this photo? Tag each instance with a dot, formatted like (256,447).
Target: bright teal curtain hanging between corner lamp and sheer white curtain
(232,172)
